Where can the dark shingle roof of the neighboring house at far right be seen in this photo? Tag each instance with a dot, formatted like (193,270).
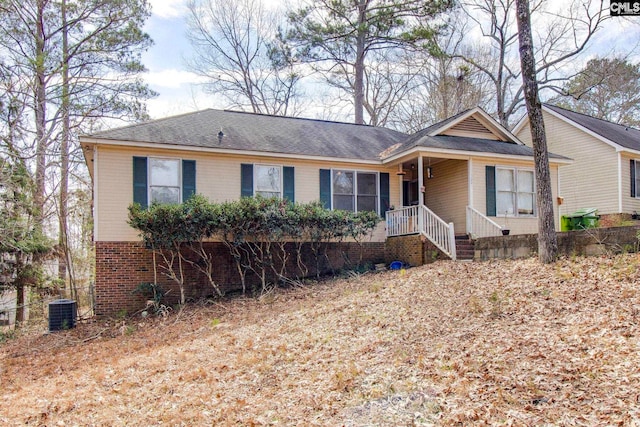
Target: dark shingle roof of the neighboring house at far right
(624,136)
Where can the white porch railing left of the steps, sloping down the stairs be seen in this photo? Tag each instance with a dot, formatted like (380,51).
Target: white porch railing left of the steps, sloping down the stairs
(420,219)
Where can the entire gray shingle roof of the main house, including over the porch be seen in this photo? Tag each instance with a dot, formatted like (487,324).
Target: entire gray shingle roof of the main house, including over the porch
(296,136)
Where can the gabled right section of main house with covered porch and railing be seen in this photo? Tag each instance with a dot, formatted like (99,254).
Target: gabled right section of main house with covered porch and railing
(465,176)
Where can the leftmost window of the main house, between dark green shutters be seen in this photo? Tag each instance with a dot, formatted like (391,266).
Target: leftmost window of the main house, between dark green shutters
(164,180)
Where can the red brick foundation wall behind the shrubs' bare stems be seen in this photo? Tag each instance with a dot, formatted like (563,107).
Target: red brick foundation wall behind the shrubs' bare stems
(122,266)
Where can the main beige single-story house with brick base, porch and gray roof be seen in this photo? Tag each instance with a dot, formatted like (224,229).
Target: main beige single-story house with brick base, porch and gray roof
(465,175)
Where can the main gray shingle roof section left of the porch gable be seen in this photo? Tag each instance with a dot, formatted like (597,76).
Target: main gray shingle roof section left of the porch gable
(256,132)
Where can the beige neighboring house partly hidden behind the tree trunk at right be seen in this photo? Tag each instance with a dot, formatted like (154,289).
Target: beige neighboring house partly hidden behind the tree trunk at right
(606,169)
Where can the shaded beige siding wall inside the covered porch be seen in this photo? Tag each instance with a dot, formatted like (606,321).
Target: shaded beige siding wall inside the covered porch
(447,192)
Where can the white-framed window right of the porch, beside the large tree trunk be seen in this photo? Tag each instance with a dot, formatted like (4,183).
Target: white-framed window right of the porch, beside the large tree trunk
(515,192)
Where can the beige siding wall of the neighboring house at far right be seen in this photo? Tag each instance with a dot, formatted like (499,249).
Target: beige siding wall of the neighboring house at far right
(591,181)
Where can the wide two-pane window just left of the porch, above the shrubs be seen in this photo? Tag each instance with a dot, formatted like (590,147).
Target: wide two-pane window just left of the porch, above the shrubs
(355,191)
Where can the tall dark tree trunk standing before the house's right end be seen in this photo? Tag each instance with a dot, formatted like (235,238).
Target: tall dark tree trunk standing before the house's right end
(547,239)
